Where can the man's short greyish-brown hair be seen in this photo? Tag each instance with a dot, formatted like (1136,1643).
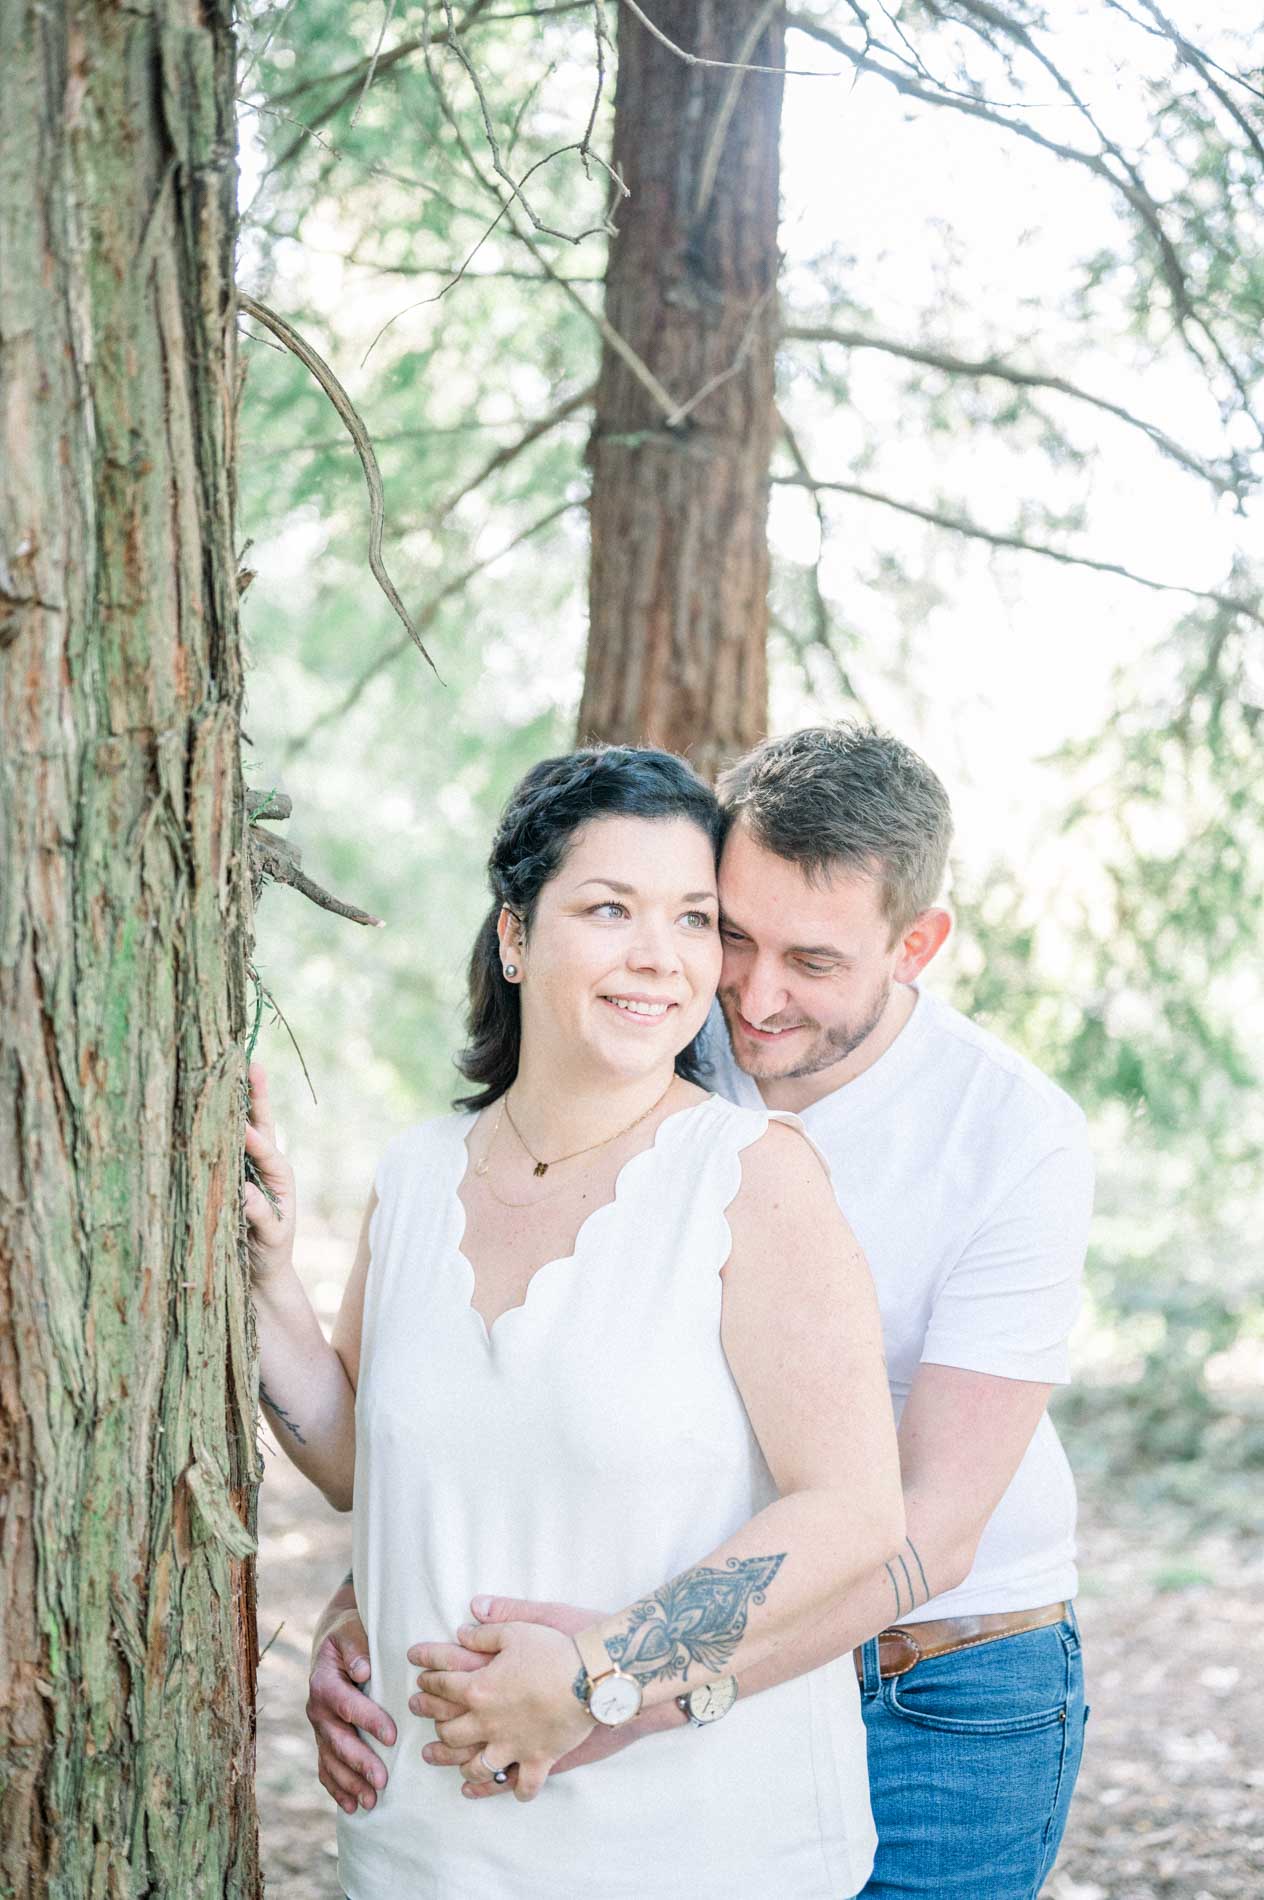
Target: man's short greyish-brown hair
(849,801)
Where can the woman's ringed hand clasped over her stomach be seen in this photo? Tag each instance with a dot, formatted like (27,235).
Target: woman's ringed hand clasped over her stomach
(520,1707)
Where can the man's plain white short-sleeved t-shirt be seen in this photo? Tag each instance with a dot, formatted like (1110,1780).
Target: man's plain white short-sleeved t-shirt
(968,1181)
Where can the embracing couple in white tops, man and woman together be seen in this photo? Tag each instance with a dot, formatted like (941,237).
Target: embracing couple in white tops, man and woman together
(716,1335)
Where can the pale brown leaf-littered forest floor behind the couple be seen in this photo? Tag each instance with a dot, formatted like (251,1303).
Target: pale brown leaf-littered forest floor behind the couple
(1172,1795)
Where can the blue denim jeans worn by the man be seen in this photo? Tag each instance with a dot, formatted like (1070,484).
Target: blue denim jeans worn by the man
(972,1766)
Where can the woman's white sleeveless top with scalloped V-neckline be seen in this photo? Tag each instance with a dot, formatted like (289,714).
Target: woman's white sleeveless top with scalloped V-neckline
(594,1447)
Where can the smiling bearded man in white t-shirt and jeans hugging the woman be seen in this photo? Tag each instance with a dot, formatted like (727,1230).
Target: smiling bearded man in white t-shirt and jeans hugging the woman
(968,1183)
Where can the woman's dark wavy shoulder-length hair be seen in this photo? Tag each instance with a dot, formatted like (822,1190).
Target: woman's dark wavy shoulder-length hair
(546,810)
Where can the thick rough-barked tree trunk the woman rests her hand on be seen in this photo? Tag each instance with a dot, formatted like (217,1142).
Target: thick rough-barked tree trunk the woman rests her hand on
(126,1407)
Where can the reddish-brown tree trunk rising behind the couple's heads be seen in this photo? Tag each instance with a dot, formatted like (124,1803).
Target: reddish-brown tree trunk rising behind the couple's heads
(680,571)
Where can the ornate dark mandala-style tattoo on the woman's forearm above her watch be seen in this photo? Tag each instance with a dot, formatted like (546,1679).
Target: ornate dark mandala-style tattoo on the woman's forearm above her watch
(697,1620)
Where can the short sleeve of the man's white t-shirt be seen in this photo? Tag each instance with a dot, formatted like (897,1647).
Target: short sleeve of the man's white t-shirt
(1012,1299)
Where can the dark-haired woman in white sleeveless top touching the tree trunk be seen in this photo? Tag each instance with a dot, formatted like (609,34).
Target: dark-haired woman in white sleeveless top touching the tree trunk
(607,1340)
